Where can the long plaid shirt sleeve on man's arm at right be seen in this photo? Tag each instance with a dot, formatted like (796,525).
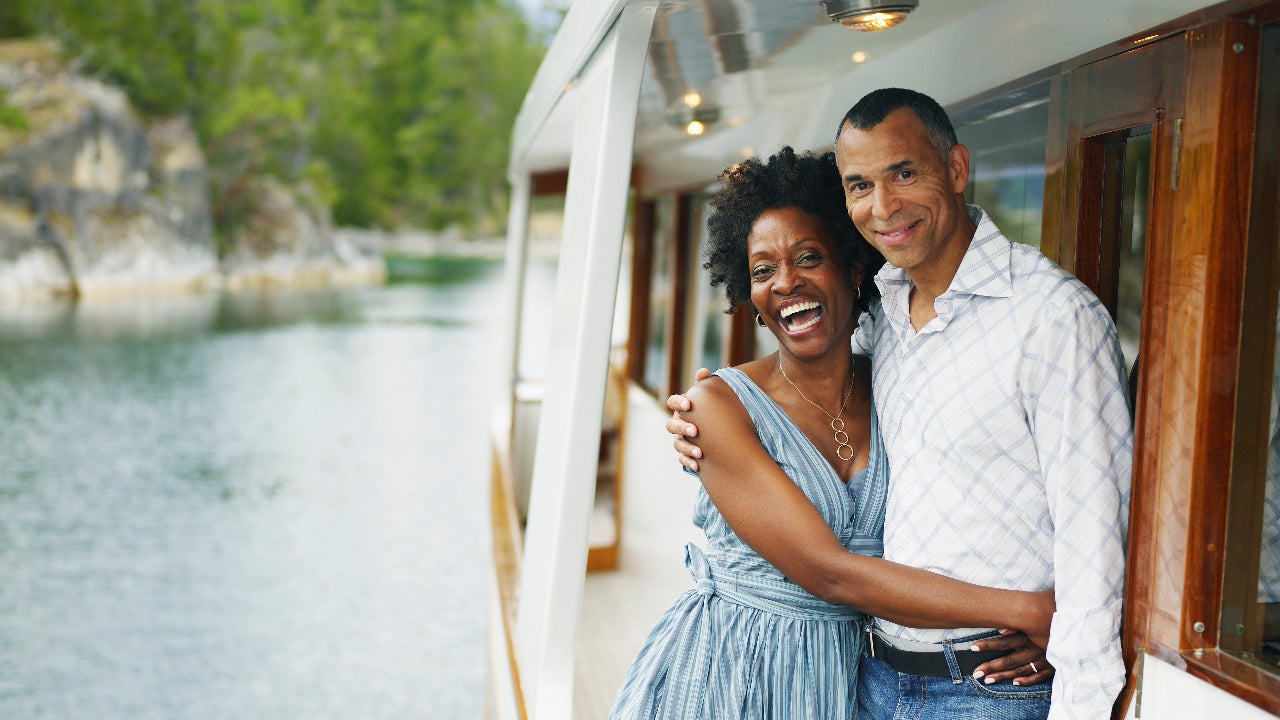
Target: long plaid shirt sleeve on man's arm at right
(1085,435)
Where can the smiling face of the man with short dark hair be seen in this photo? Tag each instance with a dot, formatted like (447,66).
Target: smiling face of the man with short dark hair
(902,197)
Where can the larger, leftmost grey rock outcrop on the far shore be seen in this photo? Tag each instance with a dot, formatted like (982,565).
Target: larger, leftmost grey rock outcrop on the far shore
(92,200)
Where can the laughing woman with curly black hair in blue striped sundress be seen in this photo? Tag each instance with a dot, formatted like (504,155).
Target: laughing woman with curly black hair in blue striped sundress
(794,471)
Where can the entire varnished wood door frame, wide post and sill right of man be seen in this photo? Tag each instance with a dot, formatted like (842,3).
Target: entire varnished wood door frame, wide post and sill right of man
(1201,106)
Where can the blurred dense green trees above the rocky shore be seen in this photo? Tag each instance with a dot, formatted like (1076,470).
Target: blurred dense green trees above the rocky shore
(397,112)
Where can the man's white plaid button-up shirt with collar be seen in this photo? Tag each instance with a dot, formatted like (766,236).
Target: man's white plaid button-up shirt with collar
(1011,445)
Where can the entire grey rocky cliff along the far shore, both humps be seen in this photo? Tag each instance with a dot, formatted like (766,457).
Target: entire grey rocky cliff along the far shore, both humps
(95,200)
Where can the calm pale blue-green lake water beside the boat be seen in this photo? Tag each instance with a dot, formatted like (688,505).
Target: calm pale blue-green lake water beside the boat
(250,507)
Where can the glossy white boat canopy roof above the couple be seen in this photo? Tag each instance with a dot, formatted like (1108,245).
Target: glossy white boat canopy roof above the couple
(779,72)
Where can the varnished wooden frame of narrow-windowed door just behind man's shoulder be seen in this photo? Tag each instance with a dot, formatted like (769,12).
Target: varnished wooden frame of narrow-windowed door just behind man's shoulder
(1091,107)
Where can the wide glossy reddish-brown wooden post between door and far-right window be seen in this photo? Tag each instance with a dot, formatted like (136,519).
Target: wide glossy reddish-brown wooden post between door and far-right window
(1204,299)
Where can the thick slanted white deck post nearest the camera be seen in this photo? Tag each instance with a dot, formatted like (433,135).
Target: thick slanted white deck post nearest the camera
(556,543)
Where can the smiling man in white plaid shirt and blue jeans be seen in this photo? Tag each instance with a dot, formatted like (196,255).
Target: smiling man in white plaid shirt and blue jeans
(1002,395)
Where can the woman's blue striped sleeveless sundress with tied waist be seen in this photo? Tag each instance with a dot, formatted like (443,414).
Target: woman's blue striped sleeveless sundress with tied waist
(747,642)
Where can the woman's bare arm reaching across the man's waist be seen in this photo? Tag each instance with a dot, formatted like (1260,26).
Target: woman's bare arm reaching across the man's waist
(772,516)
